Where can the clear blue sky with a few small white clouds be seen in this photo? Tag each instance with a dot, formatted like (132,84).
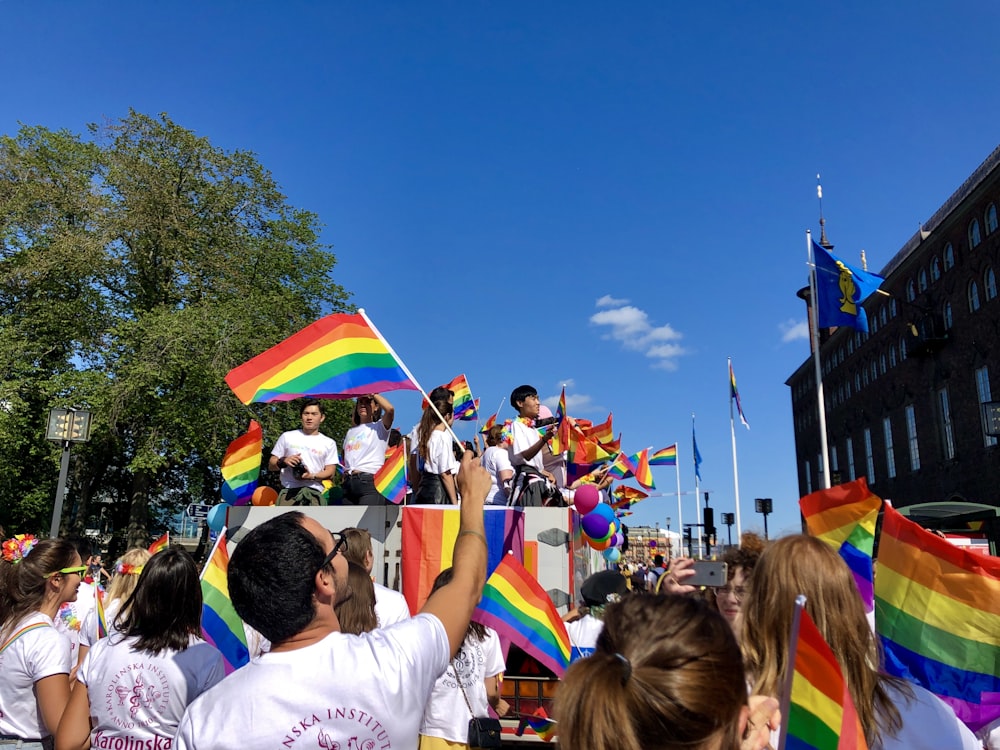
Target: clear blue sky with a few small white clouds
(608,196)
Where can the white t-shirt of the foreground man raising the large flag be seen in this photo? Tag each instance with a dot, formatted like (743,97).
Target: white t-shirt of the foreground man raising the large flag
(346,689)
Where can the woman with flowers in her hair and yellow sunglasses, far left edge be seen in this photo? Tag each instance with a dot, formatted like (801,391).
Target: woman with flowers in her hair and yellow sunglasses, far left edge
(36,578)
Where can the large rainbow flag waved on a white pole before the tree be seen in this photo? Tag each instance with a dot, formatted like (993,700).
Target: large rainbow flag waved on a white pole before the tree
(339,356)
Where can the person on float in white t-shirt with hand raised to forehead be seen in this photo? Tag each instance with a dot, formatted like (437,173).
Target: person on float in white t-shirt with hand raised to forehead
(364,449)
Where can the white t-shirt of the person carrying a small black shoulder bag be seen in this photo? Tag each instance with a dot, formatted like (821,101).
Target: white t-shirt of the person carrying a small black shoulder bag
(447,715)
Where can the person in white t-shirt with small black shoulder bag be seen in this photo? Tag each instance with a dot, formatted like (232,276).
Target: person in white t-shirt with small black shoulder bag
(466,689)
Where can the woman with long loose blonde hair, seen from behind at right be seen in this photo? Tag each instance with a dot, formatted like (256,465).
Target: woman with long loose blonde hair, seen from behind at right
(894,714)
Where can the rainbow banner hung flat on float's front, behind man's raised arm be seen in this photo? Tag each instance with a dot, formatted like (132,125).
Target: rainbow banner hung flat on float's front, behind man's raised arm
(429,534)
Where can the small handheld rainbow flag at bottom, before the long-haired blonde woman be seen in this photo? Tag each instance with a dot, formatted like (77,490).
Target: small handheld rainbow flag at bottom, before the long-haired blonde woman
(821,714)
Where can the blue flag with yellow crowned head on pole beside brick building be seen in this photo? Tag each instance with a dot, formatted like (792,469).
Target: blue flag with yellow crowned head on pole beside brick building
(840,290)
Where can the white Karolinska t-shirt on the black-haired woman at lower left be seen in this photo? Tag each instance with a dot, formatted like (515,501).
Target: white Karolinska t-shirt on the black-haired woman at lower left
(136,697)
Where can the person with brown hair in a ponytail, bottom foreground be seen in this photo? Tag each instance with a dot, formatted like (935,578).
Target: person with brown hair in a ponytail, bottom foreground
(666,673)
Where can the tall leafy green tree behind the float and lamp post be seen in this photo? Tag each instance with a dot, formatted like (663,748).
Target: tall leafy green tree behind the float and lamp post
(139,265)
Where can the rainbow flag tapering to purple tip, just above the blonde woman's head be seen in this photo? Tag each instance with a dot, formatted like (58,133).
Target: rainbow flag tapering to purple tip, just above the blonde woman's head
(844,517)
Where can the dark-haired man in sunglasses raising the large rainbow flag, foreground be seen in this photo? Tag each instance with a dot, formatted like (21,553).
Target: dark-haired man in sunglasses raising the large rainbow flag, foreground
(318,687)
